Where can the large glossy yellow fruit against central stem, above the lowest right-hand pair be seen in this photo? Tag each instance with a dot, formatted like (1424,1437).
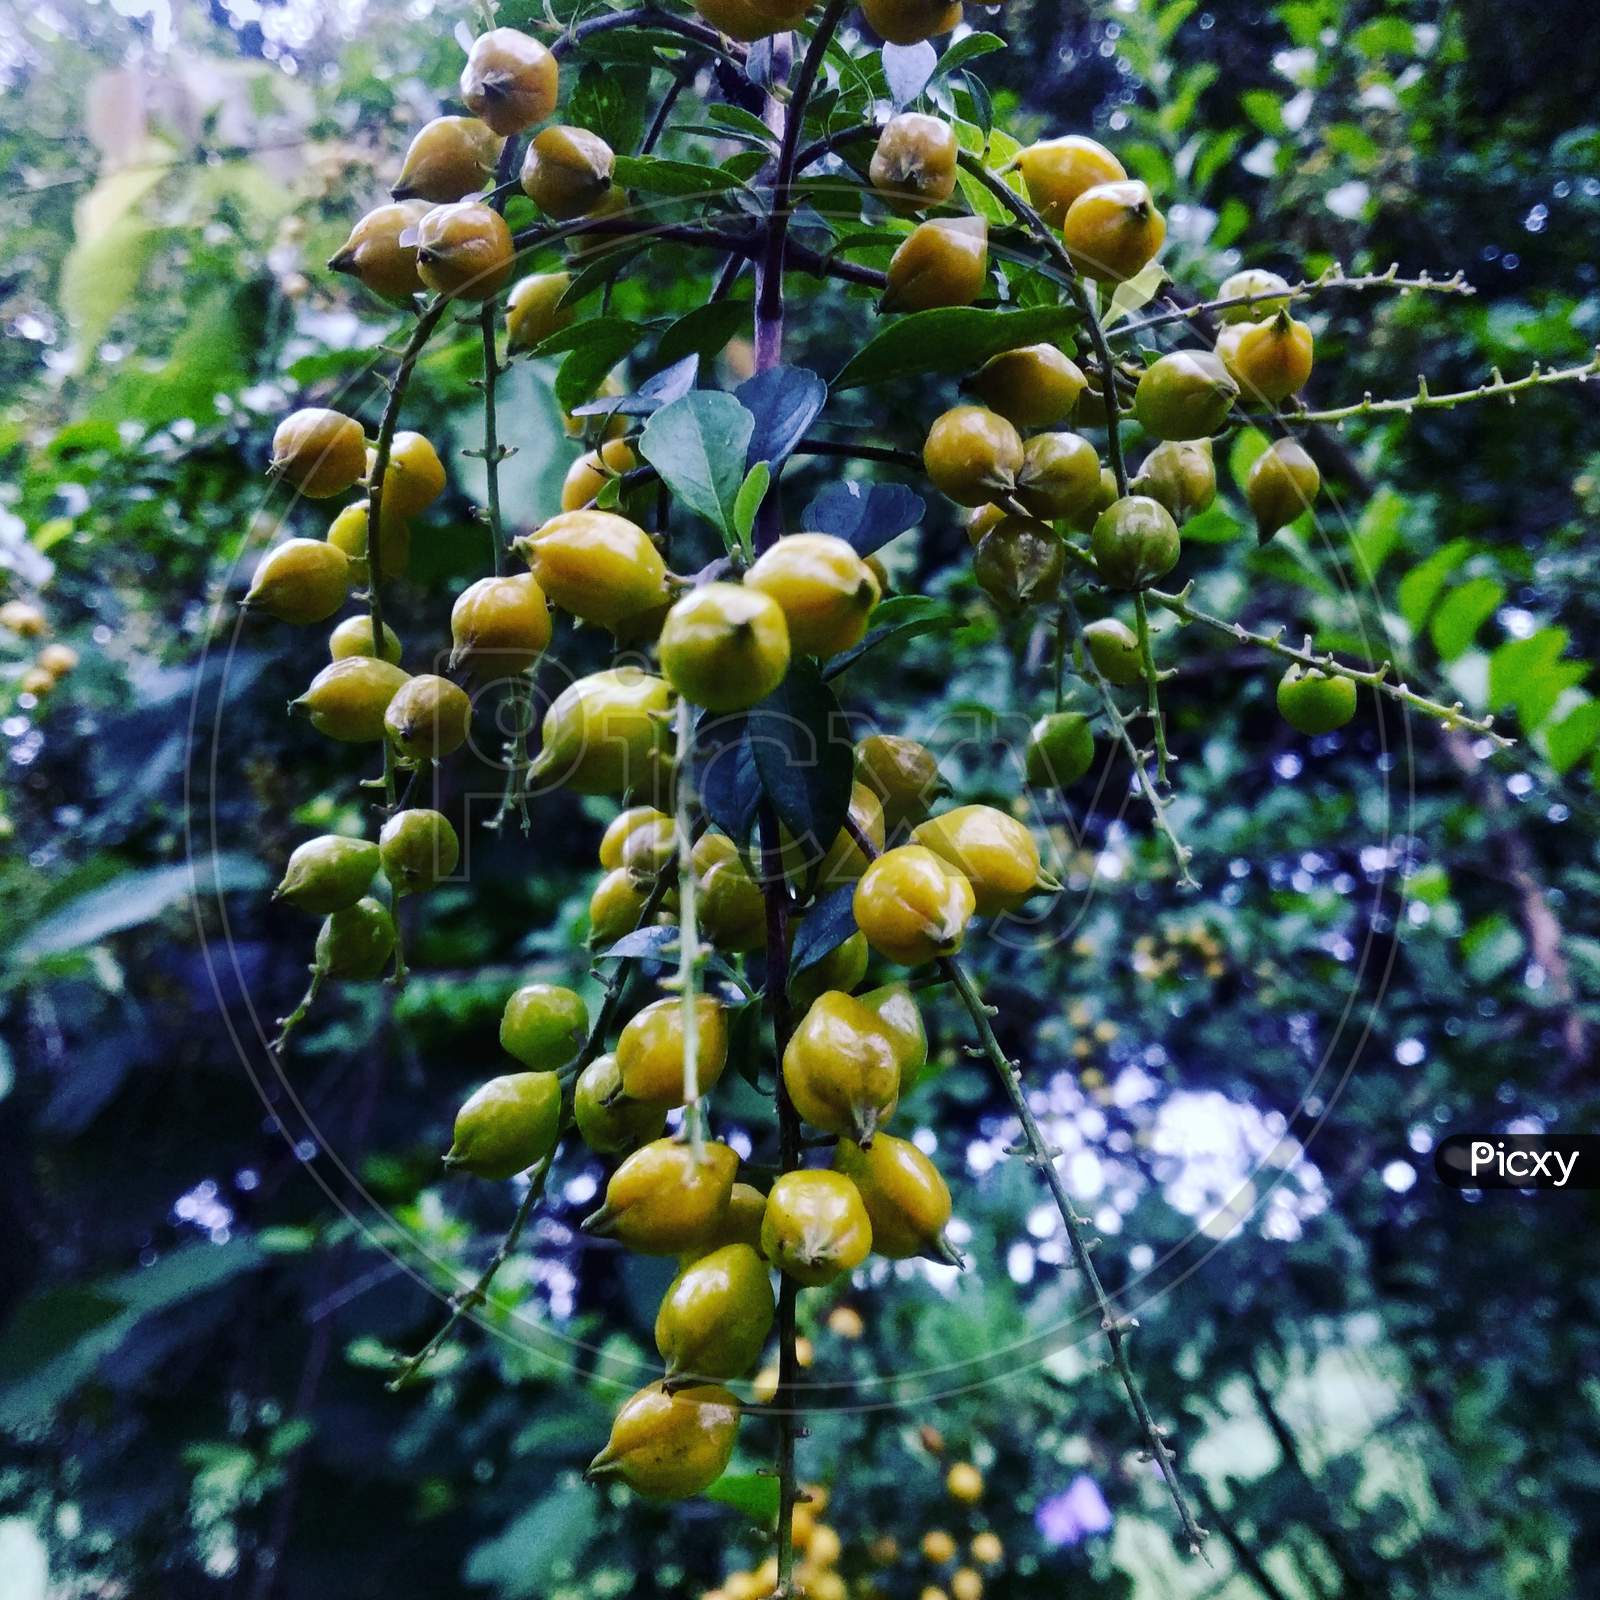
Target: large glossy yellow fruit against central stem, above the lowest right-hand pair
(842,1068)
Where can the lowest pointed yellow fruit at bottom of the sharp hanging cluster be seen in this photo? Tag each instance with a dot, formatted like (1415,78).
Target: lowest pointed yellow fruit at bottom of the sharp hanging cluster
(671,1444)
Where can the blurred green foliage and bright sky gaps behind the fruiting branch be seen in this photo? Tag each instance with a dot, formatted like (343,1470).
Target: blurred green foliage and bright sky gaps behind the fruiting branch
(1377,1386)
